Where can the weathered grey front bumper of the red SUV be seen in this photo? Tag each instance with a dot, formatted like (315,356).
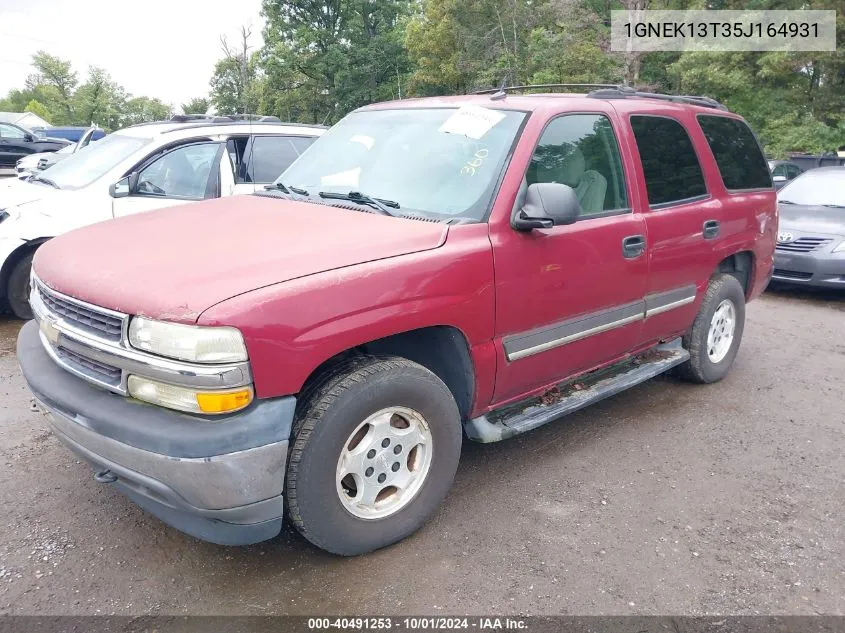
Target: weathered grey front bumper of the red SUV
(218,479)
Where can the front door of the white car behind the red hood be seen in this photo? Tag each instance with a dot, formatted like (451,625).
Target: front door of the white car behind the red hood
(182,174)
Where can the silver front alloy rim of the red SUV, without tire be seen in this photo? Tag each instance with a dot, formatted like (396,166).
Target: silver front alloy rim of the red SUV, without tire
(384,463)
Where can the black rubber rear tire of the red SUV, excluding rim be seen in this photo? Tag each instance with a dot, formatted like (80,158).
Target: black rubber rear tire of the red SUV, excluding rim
(700,367)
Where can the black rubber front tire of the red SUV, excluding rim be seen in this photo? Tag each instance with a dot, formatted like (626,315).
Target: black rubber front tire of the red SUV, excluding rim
(329,413)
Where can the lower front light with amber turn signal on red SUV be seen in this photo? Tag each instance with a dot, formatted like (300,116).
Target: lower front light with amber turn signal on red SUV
(190,400)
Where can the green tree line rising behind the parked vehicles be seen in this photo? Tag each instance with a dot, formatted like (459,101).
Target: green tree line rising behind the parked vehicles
(322,58)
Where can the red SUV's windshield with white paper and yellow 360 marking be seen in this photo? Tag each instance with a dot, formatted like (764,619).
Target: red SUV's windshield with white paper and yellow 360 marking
(440,162)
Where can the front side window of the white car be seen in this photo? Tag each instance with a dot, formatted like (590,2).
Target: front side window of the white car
(180,173)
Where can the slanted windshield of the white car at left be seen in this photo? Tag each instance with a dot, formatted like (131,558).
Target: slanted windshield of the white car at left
(93,161)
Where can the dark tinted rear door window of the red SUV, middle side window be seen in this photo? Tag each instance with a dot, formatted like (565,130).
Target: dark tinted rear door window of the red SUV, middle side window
(671,168)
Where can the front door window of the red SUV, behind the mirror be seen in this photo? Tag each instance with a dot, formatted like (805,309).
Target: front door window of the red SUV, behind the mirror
(580,150)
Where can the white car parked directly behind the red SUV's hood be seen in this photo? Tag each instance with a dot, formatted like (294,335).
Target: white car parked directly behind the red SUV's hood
(139,168)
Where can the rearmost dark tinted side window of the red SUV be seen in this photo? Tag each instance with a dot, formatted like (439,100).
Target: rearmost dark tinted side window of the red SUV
(737,153)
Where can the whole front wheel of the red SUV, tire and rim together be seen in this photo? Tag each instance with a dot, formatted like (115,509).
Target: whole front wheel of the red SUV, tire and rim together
(375,448)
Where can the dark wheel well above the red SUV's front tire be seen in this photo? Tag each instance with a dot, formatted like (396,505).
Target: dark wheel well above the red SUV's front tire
(443,350)
